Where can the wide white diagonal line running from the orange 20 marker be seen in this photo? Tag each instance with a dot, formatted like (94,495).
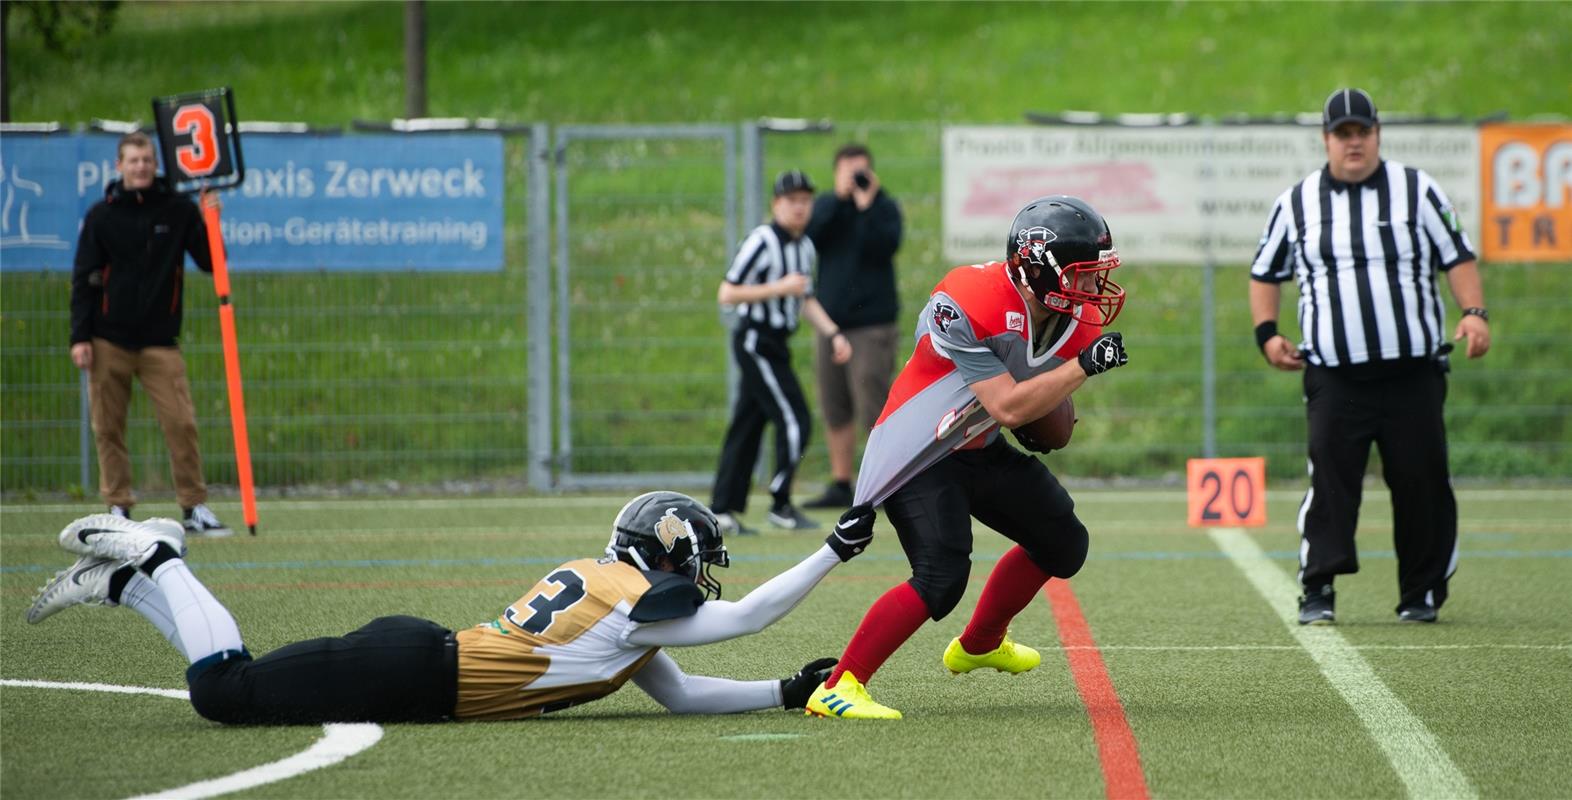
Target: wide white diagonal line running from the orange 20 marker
(1412,750)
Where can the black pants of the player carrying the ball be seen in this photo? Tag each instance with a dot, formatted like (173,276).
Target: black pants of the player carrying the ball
(1002,488)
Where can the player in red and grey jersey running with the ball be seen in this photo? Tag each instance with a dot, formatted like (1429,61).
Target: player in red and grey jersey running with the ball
(997,345)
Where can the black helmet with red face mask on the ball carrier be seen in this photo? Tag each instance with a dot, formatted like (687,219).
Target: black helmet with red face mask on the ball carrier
(1052,243)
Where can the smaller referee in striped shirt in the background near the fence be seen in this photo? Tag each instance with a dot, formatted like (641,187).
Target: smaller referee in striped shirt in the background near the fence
(771,284)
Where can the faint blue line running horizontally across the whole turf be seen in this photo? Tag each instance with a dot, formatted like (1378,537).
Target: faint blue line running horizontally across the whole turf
(384,563)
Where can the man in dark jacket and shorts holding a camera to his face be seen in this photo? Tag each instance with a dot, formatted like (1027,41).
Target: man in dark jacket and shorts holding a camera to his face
(858,230)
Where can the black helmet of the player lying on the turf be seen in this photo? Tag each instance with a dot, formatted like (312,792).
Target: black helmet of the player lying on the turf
(674,527)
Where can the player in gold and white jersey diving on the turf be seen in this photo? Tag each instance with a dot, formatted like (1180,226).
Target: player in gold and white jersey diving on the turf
(578,636)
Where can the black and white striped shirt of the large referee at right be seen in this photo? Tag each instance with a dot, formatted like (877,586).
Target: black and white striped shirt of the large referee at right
(1365,259)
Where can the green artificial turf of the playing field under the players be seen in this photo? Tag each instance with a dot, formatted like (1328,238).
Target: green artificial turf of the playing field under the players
(1221,697)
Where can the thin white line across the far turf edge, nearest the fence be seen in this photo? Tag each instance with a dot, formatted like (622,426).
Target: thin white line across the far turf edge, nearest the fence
(439,504)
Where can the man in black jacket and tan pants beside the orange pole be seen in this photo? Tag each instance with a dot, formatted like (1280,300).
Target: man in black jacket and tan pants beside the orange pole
(127,293)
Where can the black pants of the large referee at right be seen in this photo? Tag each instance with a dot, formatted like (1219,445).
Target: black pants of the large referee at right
(1398,406)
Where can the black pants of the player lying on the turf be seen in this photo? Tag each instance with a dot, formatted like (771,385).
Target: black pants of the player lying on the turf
(395,669)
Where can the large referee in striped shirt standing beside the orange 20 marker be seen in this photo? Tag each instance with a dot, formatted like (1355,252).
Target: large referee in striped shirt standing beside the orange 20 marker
(1365,240)
